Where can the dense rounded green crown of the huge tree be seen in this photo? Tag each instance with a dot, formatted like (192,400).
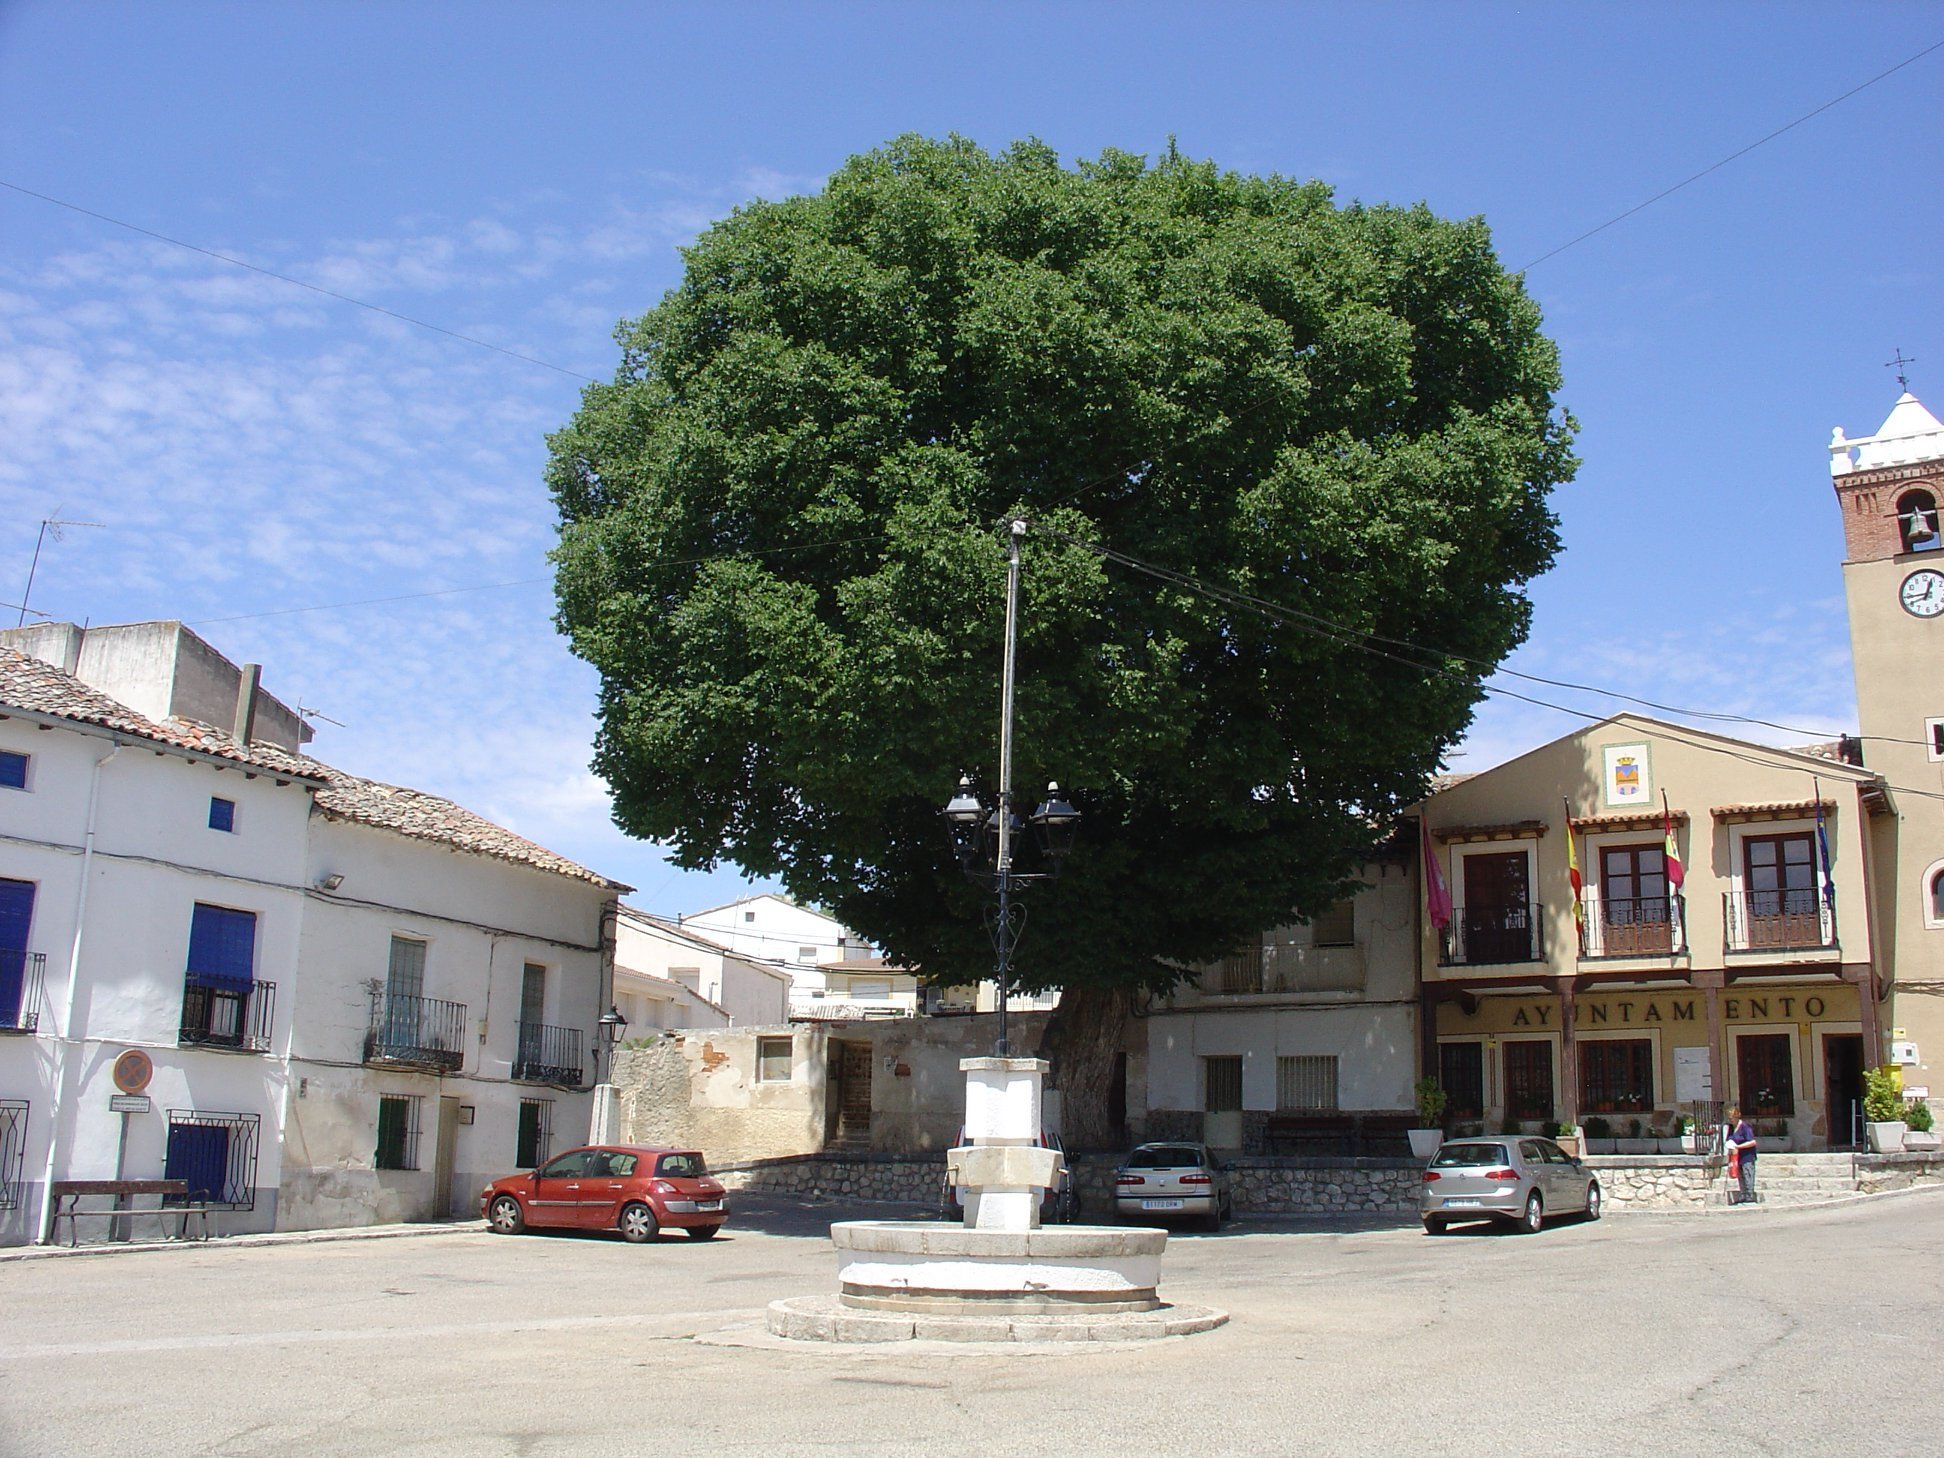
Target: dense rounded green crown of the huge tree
(782,539)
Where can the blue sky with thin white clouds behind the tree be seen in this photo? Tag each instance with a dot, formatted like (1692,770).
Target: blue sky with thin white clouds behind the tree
(528,176)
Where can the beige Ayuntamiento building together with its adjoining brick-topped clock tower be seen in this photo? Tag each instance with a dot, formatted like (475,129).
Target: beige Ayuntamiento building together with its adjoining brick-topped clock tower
(1754,924)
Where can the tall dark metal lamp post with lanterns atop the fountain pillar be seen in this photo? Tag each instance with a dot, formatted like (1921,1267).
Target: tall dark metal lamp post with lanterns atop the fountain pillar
(975,823)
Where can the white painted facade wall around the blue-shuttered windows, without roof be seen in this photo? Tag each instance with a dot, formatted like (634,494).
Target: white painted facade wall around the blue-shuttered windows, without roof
(314,1097)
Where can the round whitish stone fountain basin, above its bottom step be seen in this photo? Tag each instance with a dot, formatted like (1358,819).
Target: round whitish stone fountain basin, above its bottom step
(922,1267)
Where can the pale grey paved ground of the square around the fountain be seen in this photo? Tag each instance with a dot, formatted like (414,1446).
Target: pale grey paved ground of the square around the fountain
(1749,1333)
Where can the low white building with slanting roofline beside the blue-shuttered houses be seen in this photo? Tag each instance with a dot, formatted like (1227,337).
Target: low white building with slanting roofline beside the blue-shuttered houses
(668,977)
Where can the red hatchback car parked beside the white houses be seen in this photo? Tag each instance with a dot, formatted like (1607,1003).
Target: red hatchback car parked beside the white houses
(633,1189)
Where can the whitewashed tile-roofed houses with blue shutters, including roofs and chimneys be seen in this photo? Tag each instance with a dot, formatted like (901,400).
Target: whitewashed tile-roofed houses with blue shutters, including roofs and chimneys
(359,1002)
